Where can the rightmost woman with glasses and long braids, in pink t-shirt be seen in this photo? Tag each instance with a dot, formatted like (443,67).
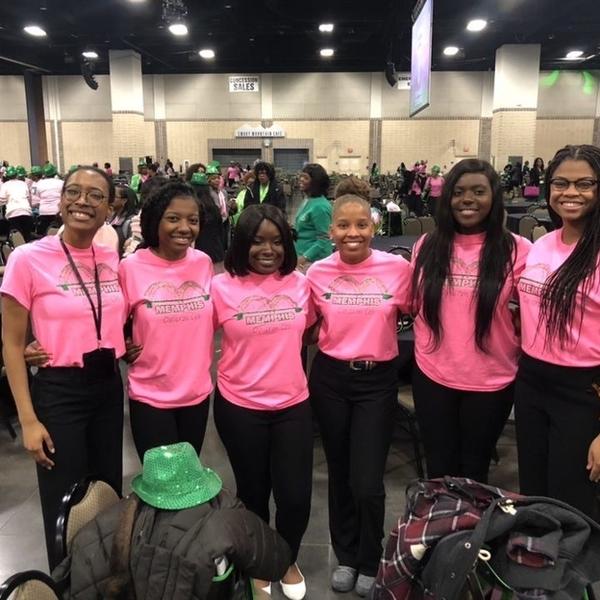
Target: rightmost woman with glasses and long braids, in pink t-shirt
(558,393)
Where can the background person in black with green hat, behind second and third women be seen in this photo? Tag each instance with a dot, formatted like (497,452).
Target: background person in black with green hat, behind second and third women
(211,239)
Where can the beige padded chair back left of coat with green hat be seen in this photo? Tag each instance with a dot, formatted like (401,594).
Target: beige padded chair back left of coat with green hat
(84,501)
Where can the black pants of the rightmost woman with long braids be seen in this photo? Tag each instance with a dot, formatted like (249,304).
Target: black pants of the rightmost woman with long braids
(557,413)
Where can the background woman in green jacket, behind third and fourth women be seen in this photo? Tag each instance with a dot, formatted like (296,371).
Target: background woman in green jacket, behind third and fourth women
(314,217)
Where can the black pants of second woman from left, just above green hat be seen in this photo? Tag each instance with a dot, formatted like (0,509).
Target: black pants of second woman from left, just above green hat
(151,426)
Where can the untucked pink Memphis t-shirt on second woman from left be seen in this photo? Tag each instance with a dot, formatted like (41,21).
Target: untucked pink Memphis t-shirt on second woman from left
(173,321)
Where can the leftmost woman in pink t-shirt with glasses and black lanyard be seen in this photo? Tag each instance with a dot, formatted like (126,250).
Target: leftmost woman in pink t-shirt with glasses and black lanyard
(67,287)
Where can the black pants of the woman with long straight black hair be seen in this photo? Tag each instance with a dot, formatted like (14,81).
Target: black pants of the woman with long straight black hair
(459,428)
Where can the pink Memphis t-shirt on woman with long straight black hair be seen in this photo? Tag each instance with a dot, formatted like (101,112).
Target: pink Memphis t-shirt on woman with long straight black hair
(457,362)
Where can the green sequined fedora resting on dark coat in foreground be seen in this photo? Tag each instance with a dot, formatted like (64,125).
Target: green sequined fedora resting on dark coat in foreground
(173,478)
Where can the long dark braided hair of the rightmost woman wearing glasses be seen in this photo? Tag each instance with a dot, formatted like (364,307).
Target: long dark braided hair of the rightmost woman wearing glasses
(559,295)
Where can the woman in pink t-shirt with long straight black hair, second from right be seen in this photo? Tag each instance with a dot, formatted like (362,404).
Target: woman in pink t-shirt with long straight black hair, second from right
(465,274)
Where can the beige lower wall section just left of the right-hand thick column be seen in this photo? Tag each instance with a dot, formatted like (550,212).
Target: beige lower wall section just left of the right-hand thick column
(442,142)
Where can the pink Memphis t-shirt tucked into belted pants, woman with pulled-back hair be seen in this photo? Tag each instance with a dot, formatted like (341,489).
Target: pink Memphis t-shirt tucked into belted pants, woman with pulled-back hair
(359,304)
